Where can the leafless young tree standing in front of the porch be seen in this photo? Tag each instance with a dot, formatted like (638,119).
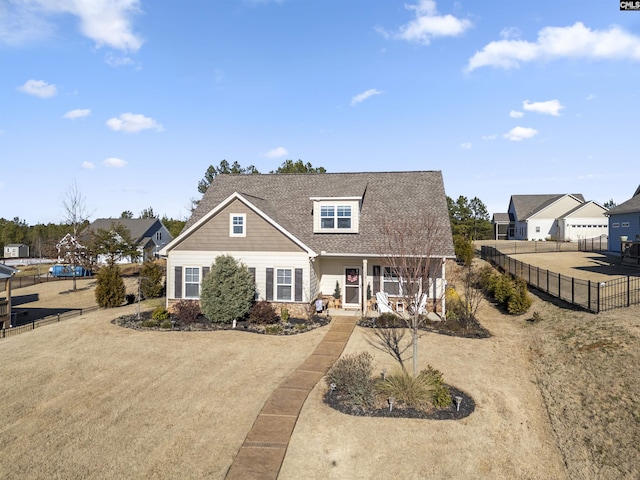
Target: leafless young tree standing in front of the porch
(408,247)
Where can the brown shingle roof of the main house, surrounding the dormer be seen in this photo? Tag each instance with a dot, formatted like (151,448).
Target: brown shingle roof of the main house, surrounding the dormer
(287,199)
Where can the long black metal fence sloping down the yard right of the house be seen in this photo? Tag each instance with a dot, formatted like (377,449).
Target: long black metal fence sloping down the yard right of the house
(590,295)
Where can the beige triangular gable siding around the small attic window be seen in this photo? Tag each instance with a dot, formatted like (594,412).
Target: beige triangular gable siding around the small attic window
(260,234)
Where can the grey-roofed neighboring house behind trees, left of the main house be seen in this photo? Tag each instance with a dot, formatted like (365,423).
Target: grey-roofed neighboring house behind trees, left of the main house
(148,234)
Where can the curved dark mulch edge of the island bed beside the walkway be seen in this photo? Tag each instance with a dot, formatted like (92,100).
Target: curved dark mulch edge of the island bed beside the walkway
(467,406)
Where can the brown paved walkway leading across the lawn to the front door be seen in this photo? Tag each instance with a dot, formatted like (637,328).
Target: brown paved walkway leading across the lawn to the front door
(262,452)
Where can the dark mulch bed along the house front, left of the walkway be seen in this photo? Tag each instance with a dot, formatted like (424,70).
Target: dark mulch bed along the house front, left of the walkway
(293,327)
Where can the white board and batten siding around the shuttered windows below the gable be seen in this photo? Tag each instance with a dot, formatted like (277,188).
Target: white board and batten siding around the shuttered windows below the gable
(257,260)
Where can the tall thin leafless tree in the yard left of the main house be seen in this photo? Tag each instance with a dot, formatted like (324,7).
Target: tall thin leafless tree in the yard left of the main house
(76,216)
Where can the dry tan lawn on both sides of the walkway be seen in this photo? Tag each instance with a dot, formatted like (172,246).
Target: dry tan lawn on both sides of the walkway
(86,399)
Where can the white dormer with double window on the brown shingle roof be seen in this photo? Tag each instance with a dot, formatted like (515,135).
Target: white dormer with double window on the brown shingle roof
(338,215)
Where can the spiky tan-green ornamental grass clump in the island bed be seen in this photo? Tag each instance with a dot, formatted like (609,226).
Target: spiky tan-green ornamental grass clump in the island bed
(415,392)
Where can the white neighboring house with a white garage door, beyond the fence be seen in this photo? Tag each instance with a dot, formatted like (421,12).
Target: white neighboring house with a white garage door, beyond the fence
(562,217)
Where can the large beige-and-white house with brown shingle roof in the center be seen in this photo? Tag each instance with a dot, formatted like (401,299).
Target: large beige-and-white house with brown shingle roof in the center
(300,234)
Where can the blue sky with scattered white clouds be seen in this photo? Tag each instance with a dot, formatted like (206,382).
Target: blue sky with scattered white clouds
(132,100)
